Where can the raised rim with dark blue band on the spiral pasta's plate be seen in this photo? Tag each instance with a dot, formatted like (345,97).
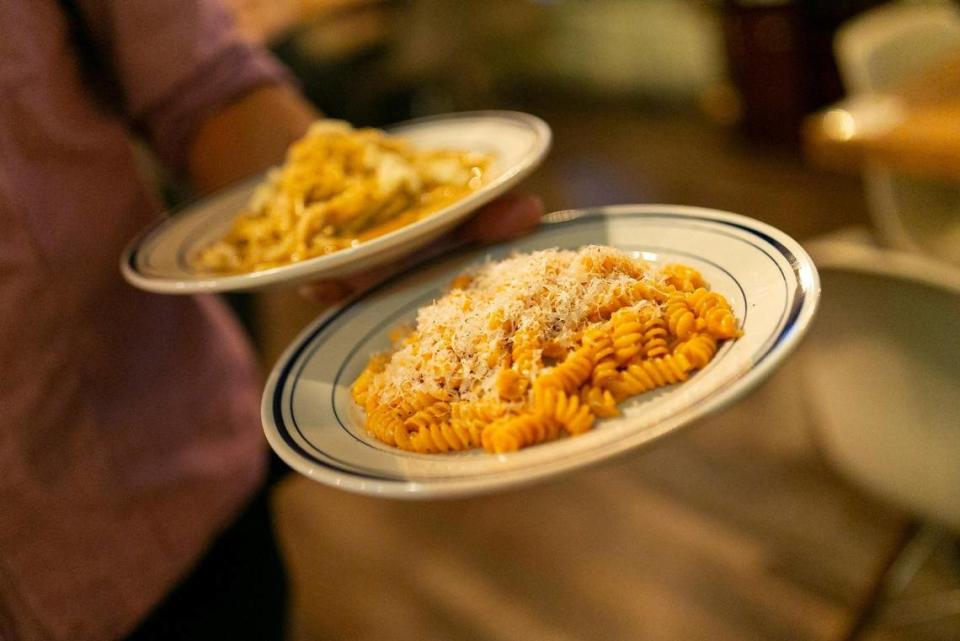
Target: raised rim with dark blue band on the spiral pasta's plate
(798,323)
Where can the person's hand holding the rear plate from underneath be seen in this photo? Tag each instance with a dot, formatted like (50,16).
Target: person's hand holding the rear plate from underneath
(505,218)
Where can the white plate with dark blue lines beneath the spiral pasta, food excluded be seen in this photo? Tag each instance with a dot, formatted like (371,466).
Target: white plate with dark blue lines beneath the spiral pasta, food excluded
(312,423)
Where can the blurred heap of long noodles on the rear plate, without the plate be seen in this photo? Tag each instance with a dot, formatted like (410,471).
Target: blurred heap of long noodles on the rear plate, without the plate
(338,187)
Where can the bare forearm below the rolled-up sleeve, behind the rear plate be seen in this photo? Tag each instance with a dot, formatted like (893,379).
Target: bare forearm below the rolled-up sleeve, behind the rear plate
(247,136)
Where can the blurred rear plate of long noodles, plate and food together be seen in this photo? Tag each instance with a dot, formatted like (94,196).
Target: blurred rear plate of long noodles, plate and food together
(344,200)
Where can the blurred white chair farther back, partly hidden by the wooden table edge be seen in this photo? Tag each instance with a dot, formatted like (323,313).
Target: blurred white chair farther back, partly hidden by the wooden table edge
(876,52)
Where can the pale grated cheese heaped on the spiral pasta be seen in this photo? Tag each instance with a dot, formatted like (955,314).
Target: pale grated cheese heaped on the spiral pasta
(457,345)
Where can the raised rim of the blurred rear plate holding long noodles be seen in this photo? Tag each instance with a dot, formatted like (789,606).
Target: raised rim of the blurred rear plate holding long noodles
(329,263)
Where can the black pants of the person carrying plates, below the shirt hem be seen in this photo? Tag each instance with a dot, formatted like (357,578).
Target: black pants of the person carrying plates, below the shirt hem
(238,591)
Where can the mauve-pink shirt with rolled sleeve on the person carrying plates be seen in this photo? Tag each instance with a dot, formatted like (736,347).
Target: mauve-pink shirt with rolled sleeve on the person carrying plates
(129,426)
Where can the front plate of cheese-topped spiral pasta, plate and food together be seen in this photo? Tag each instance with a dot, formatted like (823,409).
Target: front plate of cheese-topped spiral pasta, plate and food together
(475,373)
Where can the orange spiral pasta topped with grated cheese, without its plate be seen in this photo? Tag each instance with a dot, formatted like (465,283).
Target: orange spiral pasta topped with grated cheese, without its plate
(538,346)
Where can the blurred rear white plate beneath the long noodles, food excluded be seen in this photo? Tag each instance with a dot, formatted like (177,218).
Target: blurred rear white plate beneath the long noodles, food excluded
(159,259)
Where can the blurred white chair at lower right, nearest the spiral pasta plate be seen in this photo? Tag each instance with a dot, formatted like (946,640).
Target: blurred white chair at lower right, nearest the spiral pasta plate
(880,372)
